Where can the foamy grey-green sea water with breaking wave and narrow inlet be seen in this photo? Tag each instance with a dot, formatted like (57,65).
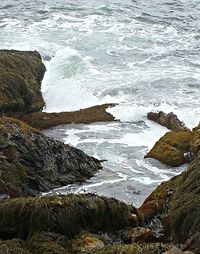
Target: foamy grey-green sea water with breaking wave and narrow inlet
(142,54)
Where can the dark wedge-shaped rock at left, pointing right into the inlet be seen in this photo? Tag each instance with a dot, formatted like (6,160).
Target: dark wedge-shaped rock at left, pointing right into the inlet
(30,162)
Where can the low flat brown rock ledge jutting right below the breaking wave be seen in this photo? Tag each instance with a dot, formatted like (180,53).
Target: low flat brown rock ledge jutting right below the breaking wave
(43,120)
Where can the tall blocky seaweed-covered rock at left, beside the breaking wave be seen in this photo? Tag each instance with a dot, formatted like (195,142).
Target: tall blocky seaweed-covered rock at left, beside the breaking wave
(21,73)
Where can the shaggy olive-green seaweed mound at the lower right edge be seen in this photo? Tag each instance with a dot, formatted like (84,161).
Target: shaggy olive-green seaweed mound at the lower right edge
(185,208)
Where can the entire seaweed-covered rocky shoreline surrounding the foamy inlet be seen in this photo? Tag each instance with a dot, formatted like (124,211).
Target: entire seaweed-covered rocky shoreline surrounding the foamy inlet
(31,163)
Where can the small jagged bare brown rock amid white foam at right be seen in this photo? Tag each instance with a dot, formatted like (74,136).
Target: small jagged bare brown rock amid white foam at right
(170,121)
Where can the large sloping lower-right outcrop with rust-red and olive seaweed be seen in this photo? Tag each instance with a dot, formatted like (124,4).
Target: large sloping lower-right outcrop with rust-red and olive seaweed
(174,209)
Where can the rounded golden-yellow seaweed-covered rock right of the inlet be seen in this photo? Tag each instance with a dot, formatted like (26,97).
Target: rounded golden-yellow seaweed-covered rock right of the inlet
(173,148)
